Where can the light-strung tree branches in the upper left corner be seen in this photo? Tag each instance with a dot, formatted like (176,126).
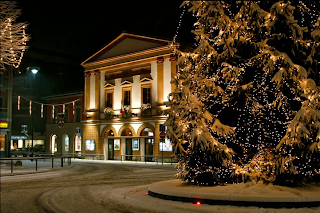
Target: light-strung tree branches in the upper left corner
(12,35)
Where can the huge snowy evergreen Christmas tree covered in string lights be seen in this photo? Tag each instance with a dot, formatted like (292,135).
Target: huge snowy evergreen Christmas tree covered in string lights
(246,104)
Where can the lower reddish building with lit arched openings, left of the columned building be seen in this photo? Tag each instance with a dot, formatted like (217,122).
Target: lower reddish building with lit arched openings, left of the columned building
(64,127)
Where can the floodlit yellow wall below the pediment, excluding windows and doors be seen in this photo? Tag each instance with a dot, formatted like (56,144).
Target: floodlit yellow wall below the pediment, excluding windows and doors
(96,124)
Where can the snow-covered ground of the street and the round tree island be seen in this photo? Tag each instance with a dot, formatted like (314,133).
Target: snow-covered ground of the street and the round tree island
(100,186)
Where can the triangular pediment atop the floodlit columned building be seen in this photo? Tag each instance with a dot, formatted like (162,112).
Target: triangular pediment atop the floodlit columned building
(126,44)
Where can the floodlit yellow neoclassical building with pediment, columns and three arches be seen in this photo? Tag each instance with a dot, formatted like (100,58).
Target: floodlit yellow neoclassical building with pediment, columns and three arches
(126,86)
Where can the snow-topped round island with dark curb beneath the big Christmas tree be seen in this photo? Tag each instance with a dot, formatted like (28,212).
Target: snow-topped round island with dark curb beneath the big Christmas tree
(234,195)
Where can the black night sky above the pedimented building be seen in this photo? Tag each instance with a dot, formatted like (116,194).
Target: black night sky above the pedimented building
(65,33)
